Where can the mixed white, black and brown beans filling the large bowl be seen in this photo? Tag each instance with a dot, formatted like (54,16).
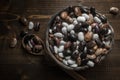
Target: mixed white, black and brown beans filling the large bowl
(80,36)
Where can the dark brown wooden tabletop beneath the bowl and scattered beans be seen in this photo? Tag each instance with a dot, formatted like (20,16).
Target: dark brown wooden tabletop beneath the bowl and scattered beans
(16,64)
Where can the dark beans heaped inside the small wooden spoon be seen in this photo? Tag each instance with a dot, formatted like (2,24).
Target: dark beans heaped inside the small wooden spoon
(33,44)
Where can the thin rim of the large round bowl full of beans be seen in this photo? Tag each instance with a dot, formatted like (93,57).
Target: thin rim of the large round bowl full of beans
(48,51)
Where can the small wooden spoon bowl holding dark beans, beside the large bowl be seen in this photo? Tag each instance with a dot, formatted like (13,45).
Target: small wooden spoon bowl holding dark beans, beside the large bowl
(32,47)
